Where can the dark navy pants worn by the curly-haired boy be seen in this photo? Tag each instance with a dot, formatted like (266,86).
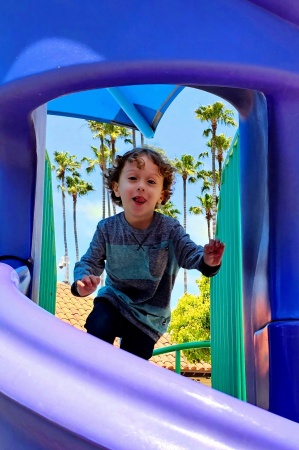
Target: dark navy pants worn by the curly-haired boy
(106,322)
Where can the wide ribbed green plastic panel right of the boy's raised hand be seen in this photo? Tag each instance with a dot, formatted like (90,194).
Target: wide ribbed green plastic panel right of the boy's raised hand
(227,331)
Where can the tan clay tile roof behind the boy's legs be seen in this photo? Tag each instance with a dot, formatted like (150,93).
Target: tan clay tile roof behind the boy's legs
(74,310)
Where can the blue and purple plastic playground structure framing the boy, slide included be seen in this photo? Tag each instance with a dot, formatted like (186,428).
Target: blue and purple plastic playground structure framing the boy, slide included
(54,392)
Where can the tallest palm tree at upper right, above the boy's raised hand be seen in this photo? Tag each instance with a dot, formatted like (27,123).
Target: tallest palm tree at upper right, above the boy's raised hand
(214,114)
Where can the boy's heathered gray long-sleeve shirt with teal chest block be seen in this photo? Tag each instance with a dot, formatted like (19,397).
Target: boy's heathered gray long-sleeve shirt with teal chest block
(141,267)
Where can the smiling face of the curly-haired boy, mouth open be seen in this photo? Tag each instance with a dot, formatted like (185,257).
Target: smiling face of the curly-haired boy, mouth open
(140,191)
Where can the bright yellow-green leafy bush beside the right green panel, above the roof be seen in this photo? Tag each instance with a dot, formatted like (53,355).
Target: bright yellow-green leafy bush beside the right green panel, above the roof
(190,321)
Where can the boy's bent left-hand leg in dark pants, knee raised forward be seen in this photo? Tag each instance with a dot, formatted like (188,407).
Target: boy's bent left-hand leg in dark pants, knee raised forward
(104,320)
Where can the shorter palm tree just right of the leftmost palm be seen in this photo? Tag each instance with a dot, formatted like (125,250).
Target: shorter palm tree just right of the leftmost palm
(77,187)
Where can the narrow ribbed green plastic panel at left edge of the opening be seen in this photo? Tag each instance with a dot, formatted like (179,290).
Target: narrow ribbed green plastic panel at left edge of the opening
(48,277)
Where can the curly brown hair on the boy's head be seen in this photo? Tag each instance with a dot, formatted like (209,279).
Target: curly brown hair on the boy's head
(165,169)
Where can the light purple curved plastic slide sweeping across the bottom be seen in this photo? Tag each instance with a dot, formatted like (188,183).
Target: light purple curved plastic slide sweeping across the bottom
(61,388)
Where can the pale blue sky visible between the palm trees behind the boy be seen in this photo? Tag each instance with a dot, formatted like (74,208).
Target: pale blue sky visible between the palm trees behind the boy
(178,132)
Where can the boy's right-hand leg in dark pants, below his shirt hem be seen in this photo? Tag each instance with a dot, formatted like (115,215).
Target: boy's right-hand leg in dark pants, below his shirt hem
(136,341)
